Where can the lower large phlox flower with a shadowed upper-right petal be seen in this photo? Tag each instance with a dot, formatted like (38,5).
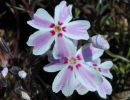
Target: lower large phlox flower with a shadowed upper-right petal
(74,71)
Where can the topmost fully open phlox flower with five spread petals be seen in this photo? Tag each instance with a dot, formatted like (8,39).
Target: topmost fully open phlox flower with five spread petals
(58,29)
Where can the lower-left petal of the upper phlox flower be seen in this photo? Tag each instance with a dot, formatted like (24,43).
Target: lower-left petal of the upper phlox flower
(41,42)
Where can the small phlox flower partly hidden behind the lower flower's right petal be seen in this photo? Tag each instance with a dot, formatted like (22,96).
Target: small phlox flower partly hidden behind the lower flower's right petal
(104,69)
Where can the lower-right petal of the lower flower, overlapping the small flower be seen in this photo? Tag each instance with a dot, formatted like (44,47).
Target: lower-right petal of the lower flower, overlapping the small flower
(88,77)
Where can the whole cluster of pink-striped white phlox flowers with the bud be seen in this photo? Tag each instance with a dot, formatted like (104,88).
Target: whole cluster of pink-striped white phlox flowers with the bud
(79,70)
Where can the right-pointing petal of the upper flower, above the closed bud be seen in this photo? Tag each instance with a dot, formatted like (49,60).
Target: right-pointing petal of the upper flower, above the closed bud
(77,30)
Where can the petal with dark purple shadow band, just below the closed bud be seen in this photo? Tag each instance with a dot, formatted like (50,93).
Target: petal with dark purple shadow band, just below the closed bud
(89,53)
